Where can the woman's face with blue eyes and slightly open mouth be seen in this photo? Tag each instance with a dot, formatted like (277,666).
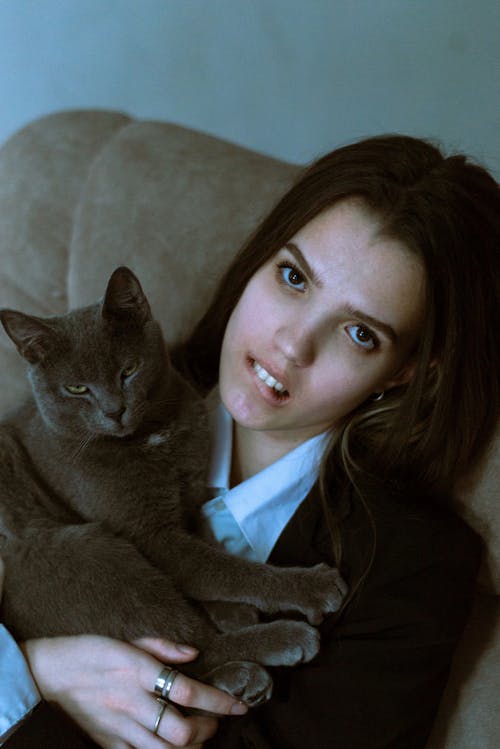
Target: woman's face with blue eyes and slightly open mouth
(331,319)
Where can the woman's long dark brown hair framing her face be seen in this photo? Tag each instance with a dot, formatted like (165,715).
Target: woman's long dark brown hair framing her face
(447,211)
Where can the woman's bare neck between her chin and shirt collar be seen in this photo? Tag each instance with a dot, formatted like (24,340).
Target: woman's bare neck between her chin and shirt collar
(254,450)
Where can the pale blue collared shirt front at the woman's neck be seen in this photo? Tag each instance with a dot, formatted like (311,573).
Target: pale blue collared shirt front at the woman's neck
(248,519)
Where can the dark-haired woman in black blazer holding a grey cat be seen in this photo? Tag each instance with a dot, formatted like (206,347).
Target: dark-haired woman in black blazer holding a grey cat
(357,326)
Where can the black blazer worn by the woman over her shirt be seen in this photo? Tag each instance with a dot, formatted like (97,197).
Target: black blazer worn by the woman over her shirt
(383,665)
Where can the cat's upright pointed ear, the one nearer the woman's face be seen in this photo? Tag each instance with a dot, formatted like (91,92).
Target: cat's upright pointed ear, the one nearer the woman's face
(125,300)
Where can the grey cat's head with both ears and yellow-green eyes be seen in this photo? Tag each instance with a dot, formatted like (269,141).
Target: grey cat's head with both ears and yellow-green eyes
(96,370)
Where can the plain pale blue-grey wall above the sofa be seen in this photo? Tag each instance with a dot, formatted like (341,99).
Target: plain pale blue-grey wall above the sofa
(292,78)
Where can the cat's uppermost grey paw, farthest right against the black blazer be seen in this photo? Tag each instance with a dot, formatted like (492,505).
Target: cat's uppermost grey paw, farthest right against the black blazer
(321,591)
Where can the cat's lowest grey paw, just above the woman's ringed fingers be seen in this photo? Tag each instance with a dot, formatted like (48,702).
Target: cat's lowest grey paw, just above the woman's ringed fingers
(244,680)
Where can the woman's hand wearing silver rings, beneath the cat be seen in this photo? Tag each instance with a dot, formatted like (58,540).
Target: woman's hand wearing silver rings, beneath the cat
(106,686)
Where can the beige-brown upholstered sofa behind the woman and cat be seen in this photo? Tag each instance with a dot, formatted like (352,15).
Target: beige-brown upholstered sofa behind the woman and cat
(84,192)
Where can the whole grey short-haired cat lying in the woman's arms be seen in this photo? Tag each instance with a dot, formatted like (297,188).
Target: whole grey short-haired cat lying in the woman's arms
(101,478)
